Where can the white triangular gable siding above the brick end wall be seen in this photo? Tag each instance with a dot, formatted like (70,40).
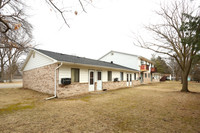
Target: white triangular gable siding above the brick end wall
(37,60)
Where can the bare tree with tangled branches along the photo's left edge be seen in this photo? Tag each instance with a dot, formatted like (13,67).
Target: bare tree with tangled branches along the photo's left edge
(15,32)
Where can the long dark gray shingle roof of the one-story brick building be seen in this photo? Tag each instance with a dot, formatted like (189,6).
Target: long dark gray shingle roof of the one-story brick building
(81,60)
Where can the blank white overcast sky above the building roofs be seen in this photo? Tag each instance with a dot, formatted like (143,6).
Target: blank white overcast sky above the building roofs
(105,27)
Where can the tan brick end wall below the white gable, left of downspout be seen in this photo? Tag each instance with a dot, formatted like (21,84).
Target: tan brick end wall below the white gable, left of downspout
(40,79)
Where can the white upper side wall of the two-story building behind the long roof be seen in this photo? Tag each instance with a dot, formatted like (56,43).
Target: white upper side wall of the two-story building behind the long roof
(130,61)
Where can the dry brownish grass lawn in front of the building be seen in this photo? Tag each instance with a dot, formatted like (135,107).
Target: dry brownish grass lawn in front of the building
(158,107)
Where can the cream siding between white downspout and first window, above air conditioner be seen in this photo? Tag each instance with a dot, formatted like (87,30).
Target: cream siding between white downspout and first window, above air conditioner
(64,72)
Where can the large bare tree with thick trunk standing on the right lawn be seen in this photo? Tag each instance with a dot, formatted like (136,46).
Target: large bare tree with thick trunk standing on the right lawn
(169,37)
